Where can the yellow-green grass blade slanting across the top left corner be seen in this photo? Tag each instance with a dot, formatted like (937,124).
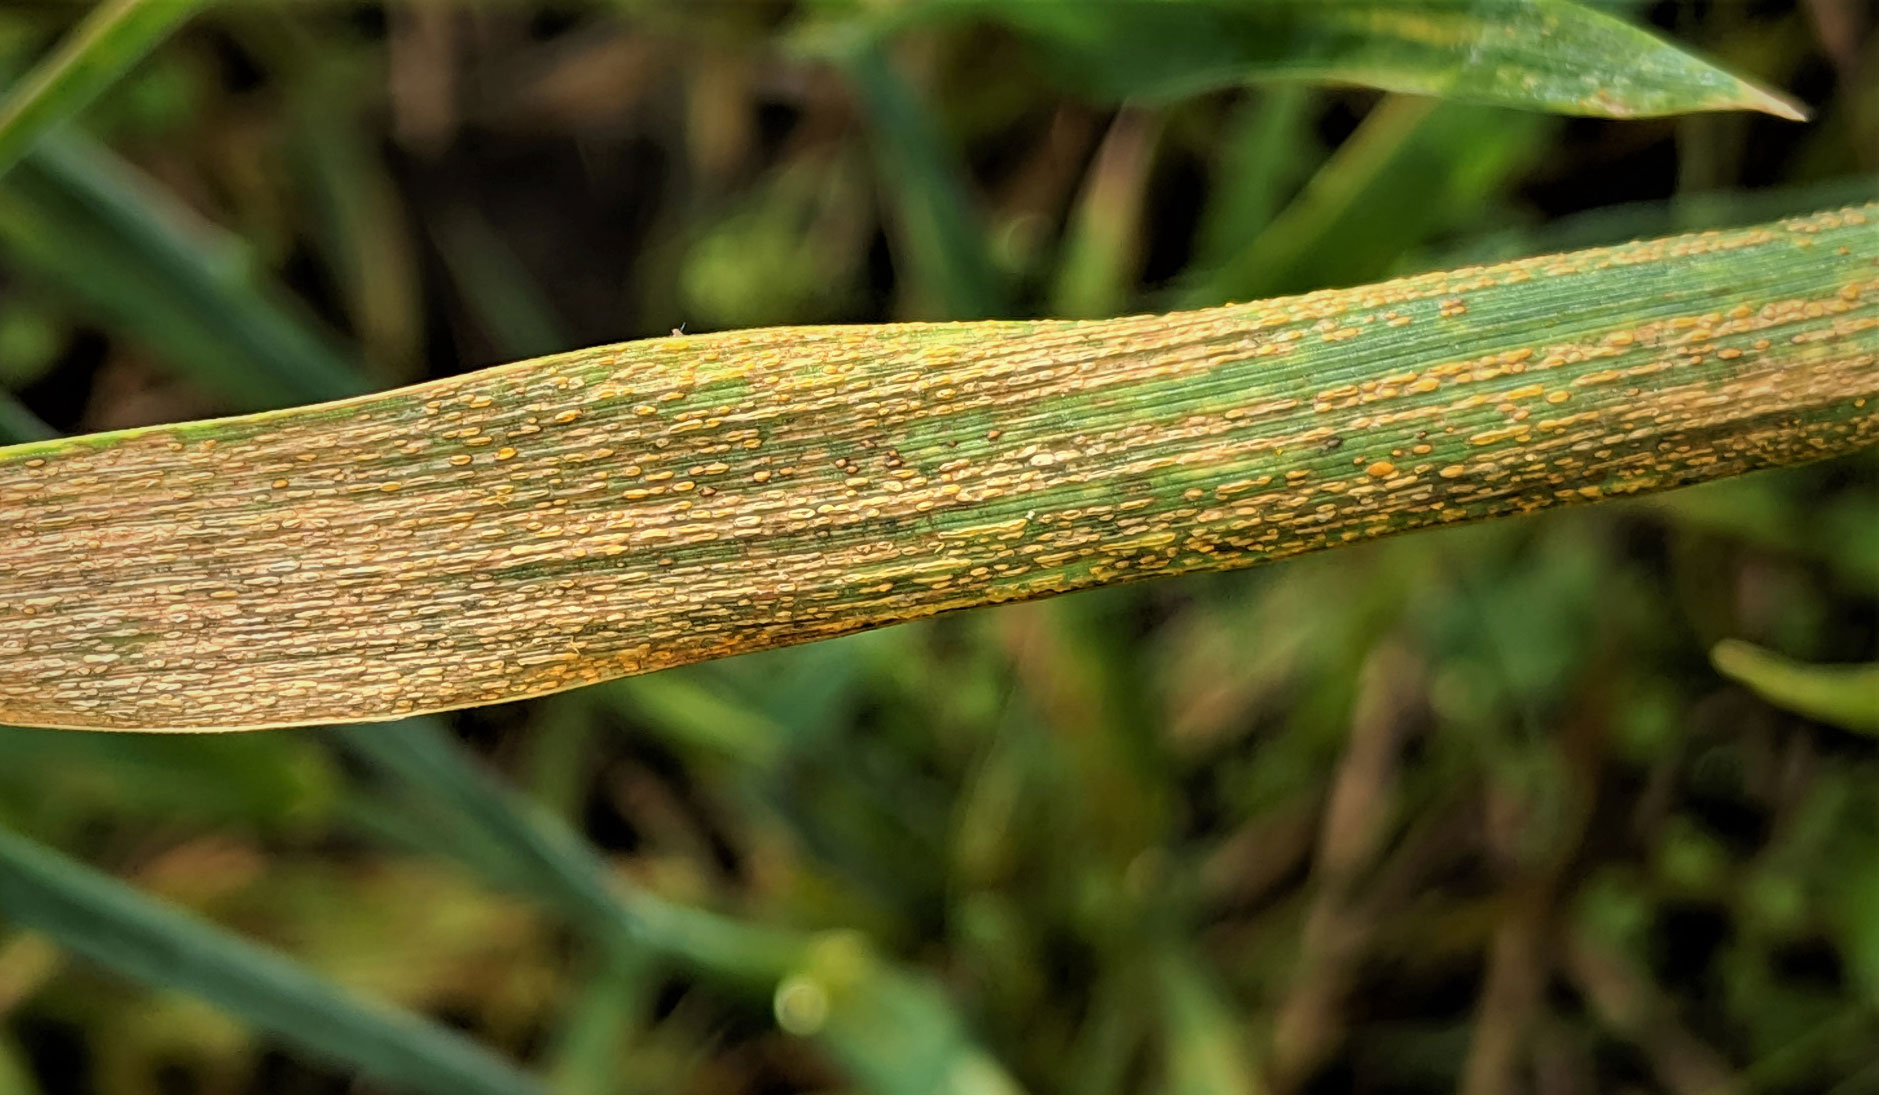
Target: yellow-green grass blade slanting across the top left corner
(112,39)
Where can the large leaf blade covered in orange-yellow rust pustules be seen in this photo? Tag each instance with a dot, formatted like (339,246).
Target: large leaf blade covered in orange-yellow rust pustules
(629,508)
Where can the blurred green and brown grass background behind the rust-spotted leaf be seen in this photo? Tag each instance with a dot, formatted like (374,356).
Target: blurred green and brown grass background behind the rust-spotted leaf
(1468,810)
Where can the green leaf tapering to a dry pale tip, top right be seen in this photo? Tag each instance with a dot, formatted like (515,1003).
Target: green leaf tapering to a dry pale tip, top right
(1545,55)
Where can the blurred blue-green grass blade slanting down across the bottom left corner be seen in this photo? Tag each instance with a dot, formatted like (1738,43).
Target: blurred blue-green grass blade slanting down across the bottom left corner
(138,938)
